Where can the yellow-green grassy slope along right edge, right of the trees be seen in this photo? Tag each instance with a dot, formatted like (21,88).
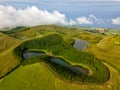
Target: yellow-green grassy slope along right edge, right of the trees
(108,50)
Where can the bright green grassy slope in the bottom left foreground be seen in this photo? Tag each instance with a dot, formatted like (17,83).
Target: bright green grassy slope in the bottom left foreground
(30,77)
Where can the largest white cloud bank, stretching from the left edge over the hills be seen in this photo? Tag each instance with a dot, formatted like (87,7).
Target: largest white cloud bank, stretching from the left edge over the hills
(31,16)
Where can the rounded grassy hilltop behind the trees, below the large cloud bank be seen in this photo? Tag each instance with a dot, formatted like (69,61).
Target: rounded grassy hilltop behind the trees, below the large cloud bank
(41,30)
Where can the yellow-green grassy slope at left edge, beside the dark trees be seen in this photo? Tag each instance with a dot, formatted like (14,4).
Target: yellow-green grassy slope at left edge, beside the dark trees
(7,59)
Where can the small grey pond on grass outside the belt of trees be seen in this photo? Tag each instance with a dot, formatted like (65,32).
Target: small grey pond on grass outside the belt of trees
(80,44)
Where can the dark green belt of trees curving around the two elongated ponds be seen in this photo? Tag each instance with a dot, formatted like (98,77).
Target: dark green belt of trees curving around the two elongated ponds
(55,44)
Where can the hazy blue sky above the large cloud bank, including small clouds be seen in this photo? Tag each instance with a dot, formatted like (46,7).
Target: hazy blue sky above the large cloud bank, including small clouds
(108,11)
